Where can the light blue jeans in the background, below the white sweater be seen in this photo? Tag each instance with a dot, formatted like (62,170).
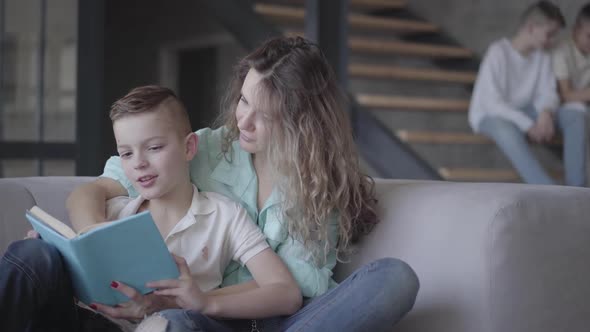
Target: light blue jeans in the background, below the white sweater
(571,121)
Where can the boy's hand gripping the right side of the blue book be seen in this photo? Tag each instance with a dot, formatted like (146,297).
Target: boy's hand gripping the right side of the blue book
(185,290)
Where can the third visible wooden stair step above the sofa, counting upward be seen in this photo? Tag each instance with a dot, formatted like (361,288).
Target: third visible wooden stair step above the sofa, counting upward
(412,103)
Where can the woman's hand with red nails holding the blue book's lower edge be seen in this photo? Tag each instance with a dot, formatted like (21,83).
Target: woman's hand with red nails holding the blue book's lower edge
(139,305)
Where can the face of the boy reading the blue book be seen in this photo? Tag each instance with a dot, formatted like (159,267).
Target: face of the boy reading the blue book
(153,154)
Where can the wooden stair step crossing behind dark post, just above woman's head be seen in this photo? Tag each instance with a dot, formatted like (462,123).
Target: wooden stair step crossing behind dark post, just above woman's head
(362,21)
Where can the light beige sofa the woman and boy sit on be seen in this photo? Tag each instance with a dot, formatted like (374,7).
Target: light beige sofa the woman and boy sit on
(490,257)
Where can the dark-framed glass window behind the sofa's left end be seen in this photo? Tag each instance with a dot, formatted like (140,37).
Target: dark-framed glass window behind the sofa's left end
(27,26)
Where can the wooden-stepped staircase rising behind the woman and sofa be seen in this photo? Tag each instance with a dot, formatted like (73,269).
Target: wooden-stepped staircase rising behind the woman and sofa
(380,53)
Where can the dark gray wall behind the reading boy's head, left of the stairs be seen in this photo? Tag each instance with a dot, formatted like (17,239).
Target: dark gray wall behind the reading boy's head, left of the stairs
(139,32)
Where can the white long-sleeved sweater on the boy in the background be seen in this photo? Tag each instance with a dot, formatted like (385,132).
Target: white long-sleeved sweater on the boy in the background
(509,82)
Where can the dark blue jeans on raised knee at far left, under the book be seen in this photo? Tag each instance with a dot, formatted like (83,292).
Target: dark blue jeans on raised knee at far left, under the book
(36,292)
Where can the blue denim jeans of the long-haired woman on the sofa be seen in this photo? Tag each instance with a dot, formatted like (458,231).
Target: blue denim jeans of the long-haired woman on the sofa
(373,298)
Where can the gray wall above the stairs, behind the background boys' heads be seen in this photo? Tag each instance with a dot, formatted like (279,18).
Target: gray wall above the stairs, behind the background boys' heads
(476,23)
